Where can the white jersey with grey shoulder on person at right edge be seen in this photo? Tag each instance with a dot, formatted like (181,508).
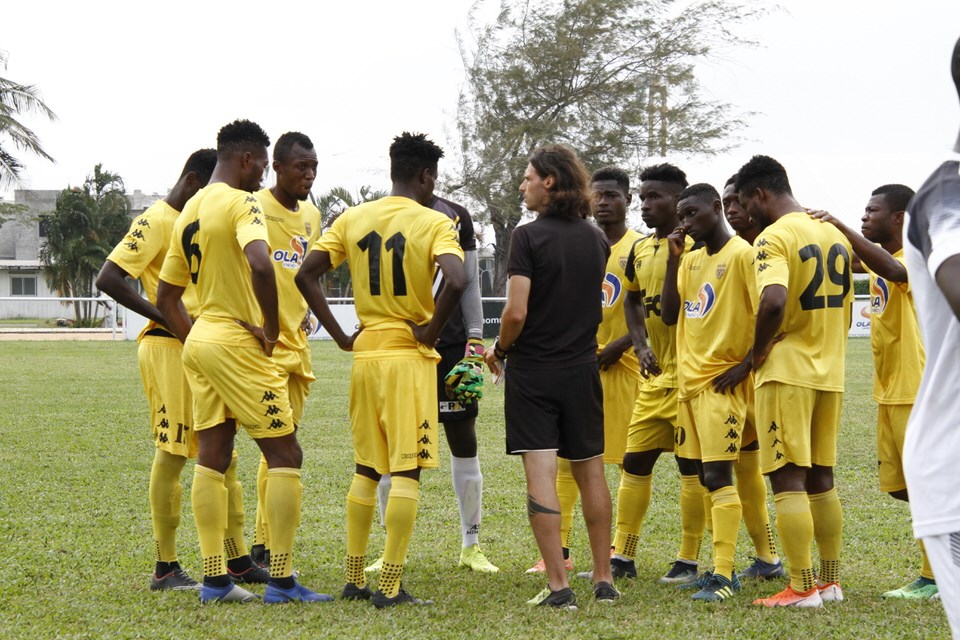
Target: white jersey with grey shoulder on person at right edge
(932,446)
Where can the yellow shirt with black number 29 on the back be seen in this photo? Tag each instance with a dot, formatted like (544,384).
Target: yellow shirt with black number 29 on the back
(812,260)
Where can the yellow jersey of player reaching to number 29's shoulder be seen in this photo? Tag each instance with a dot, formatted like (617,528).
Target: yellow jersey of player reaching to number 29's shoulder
(898,354)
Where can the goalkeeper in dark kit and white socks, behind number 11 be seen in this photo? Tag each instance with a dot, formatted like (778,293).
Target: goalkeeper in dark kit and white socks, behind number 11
(459,387)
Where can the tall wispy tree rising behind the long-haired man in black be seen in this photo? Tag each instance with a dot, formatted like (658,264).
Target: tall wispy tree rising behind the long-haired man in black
(614,79)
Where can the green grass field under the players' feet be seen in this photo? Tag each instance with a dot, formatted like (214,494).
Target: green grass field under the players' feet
(75,455)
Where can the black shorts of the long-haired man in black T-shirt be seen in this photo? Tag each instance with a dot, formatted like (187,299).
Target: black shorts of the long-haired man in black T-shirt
(555,410)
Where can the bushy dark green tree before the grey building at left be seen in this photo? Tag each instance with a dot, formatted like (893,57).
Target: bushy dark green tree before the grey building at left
(81,231)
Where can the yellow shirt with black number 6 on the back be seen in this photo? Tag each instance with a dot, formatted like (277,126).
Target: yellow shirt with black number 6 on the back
(207,249)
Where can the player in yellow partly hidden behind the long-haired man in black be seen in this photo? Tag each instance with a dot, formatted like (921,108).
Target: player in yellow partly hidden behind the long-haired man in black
(619,369)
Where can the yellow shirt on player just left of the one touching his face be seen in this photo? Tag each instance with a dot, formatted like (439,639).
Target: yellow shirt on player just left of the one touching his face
(646,271)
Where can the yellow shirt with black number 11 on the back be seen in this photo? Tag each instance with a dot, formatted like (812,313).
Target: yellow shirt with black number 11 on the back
(391,245)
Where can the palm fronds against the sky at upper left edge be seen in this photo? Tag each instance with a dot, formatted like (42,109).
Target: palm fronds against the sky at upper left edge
(15,100)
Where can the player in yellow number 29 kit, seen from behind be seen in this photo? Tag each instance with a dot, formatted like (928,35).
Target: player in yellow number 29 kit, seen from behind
(800,341)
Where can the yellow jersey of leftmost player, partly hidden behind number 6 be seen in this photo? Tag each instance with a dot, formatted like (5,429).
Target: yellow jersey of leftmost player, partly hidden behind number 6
(142,251)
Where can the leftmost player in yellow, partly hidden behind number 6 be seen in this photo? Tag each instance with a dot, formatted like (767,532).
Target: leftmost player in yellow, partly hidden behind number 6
(140,255)
